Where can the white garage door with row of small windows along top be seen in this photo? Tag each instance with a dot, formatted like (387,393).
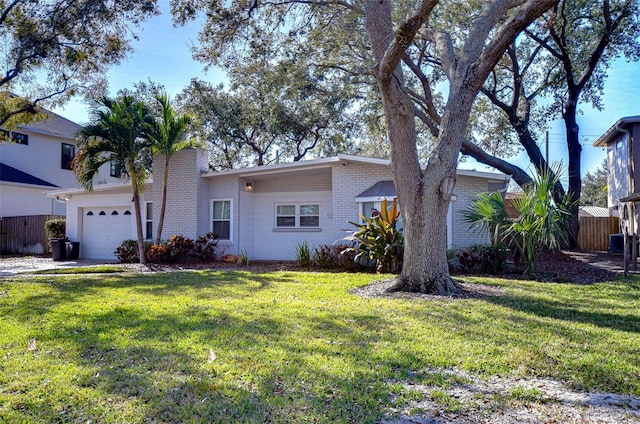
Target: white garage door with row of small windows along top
(103,229)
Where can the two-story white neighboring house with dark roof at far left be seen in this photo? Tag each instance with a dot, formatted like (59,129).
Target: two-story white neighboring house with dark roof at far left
(39,159)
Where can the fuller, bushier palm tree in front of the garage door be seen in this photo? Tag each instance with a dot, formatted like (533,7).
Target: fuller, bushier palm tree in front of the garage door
(117,134)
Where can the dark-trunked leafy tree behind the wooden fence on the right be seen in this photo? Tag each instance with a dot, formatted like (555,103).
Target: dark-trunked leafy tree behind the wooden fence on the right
(565,57)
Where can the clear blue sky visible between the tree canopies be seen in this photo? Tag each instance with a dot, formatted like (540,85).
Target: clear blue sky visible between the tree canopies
(163,55)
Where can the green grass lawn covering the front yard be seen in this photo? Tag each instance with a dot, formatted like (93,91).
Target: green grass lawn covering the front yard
(289,346)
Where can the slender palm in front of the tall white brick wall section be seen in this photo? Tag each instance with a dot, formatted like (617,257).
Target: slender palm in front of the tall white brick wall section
(167,136)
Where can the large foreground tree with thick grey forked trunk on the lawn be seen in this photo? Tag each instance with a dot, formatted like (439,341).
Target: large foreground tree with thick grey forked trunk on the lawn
(397,46)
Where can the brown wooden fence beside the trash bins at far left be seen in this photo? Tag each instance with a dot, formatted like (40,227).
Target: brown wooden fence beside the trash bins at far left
(24,235)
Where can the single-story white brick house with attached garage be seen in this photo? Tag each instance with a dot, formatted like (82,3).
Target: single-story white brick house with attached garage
(262,211)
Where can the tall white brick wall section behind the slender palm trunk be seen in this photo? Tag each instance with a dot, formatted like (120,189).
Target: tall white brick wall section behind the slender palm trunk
(184,193)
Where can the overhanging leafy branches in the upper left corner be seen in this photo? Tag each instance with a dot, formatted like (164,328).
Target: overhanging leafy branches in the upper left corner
(56,49)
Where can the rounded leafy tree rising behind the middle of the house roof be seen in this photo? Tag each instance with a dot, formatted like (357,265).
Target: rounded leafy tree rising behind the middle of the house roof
(276,109)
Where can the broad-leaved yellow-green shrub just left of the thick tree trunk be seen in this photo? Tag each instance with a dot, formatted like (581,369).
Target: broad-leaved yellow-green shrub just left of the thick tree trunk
(379,240)
